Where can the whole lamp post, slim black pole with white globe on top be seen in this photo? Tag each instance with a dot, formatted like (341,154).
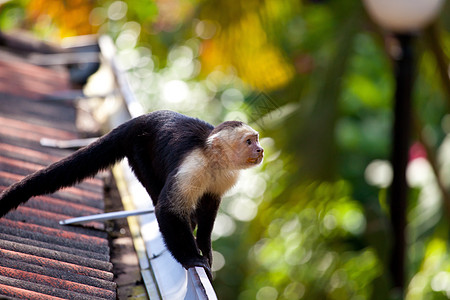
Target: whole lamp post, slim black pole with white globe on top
(404,18)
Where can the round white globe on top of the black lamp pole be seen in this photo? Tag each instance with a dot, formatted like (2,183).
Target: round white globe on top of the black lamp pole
(402,16)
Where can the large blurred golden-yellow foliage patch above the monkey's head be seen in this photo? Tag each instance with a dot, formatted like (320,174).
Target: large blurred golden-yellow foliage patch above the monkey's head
(245,46)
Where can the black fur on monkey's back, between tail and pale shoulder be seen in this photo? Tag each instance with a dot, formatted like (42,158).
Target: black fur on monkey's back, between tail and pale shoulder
(166,138)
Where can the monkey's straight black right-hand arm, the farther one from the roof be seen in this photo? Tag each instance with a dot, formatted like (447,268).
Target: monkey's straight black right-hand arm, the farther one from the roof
(206,214)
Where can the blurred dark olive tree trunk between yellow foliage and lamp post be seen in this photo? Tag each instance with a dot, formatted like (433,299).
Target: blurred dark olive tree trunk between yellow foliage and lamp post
(318,135)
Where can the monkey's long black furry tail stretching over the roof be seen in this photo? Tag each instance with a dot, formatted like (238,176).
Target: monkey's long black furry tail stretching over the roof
(85,162)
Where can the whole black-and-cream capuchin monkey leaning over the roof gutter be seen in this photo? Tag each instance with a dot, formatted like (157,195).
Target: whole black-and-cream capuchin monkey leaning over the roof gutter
(185,164)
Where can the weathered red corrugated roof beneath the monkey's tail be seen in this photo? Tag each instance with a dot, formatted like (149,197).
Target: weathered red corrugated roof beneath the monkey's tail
(40,259)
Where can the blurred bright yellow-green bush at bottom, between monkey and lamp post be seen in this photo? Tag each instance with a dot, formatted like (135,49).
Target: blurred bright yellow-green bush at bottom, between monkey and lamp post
(307,250)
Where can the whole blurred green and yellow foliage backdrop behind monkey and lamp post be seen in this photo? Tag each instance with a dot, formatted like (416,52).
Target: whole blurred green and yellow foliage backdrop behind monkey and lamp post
(316,79)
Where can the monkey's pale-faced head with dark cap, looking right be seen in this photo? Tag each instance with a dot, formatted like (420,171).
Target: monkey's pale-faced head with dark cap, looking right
(237,144)
